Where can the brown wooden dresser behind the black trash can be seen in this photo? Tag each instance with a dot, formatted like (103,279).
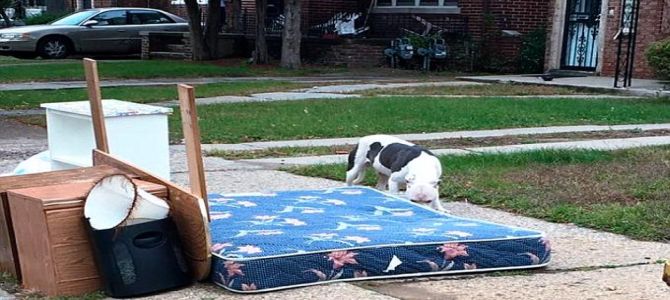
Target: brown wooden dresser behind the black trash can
(52,242)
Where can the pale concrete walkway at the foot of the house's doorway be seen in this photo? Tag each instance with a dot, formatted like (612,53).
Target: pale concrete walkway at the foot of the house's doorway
(640,87)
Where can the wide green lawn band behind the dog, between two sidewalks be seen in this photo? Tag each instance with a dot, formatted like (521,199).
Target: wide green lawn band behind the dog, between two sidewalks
(244,122)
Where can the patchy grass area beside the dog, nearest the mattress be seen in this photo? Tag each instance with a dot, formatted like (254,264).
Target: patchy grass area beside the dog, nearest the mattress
(624,192)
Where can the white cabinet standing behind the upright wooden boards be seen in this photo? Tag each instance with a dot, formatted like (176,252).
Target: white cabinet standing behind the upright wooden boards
(137,133)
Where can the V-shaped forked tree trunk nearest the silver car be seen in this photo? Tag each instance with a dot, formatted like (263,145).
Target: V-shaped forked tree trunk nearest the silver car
(204,41)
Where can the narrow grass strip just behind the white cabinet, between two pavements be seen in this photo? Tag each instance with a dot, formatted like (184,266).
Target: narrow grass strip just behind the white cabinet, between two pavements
(33,98)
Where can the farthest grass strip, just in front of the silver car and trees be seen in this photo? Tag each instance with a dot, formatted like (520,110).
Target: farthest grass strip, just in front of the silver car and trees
(140,69)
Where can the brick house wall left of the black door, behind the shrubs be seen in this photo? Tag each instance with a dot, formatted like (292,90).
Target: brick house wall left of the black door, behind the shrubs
(520,15)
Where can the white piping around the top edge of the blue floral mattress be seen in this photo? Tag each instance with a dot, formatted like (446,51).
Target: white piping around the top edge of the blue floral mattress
(539,234)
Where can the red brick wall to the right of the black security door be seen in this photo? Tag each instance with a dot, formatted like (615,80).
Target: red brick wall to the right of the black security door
(653,26)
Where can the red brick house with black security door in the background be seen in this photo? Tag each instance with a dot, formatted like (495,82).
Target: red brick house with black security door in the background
(579,32)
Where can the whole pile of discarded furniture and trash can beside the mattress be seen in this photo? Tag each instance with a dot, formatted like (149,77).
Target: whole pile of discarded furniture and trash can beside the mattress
(77,219)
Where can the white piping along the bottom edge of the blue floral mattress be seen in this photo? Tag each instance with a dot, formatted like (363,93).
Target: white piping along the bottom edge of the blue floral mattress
(385,277)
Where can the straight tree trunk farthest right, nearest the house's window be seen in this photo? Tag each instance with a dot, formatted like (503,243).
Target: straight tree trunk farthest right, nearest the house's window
(292,35)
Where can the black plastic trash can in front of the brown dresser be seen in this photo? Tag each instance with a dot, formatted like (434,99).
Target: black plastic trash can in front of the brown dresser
(140,259)
